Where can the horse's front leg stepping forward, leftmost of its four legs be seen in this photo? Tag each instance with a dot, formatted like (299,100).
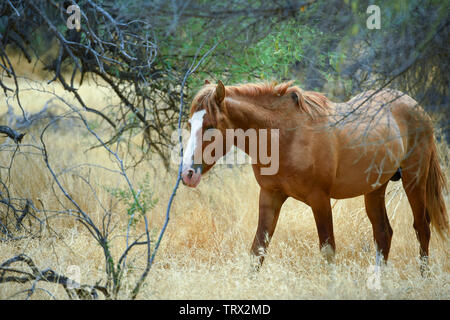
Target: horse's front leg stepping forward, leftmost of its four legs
(270,203)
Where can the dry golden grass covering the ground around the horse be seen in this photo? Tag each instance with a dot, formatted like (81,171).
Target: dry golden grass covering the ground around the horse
(205,251)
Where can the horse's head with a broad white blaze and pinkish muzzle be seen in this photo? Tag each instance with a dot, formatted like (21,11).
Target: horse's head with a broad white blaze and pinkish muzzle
(206,126)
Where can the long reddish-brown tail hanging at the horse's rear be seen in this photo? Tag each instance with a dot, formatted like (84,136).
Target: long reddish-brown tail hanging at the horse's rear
(436,186)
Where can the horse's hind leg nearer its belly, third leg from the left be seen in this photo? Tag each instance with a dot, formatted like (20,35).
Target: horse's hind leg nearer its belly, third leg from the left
(382,231)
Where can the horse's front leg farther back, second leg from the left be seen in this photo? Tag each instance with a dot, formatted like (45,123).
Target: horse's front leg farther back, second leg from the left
(321,207)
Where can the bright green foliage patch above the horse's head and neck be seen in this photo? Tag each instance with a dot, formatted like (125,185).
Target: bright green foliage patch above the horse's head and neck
(273,57)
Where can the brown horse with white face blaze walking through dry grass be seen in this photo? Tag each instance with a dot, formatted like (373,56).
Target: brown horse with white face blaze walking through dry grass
(328,150)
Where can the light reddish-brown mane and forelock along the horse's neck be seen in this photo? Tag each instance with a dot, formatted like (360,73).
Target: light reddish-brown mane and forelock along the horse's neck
(311,102)
